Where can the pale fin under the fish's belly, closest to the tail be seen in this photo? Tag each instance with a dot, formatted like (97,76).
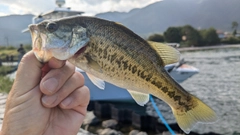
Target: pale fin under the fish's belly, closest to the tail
(140,98)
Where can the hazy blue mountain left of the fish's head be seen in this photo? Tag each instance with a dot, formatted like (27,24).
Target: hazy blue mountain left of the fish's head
(11,27)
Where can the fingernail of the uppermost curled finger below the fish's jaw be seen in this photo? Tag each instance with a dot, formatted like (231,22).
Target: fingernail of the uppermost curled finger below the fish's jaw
(50,84)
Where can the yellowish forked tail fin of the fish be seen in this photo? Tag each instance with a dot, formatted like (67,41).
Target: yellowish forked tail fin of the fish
(200,113)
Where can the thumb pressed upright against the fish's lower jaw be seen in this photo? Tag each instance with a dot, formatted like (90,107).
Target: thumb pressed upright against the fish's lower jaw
(28,74)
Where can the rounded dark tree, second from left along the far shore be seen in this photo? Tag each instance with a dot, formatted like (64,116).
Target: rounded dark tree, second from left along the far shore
(173,35)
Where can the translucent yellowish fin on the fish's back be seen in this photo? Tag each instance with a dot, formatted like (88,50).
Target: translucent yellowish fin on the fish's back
(168,54)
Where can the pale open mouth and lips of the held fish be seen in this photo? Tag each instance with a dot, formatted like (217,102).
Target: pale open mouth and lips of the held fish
(38,44)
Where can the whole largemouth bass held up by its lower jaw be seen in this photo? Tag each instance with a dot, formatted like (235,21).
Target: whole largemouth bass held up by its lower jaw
(109,51)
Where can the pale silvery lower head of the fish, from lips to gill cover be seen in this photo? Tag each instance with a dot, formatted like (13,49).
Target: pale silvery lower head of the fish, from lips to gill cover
(44,48)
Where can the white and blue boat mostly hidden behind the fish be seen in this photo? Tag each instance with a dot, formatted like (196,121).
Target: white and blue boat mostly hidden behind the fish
(179,71)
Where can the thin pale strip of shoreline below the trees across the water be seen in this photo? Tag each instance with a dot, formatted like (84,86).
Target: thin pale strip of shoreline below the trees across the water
(187,49)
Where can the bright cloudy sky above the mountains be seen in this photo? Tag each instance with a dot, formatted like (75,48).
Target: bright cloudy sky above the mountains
(90,7)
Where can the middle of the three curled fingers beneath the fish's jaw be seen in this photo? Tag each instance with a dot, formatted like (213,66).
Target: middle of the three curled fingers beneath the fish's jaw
(74,82)
